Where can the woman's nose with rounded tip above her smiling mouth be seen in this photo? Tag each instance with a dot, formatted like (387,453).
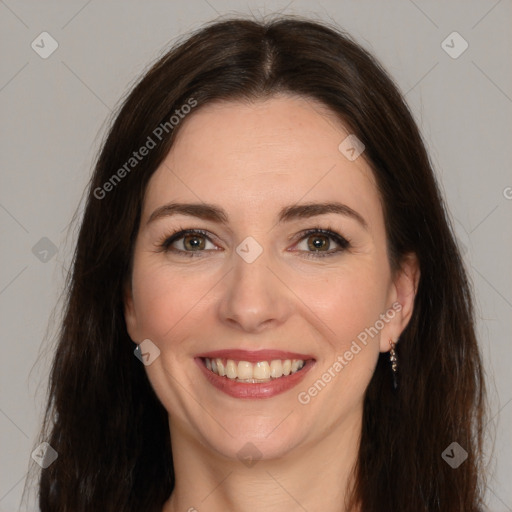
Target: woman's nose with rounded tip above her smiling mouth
(254,298)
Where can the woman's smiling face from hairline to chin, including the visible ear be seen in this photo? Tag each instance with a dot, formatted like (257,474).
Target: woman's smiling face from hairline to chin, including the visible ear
(254,280)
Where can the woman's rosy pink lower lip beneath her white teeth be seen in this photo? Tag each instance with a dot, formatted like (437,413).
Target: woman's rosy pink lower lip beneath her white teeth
(257,390)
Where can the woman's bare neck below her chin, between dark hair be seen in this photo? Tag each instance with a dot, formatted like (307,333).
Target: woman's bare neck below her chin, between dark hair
(313,476)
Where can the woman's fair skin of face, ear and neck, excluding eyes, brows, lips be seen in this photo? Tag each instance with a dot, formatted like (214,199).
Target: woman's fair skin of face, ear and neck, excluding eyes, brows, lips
(252,160)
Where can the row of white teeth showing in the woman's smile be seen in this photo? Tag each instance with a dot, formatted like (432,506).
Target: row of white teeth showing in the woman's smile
(262,371)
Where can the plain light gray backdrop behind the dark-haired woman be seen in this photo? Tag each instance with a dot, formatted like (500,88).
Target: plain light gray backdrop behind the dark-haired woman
(54,112)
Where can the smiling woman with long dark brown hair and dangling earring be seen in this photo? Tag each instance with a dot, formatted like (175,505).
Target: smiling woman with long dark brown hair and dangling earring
(264,228)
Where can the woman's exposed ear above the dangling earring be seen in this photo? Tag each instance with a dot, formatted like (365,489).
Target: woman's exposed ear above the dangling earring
(400,300)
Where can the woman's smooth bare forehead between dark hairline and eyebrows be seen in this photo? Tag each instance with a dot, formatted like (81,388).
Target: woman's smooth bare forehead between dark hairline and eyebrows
(262,155)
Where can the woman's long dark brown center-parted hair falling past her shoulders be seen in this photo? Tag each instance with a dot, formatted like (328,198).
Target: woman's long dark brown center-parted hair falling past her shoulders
(103,418)
